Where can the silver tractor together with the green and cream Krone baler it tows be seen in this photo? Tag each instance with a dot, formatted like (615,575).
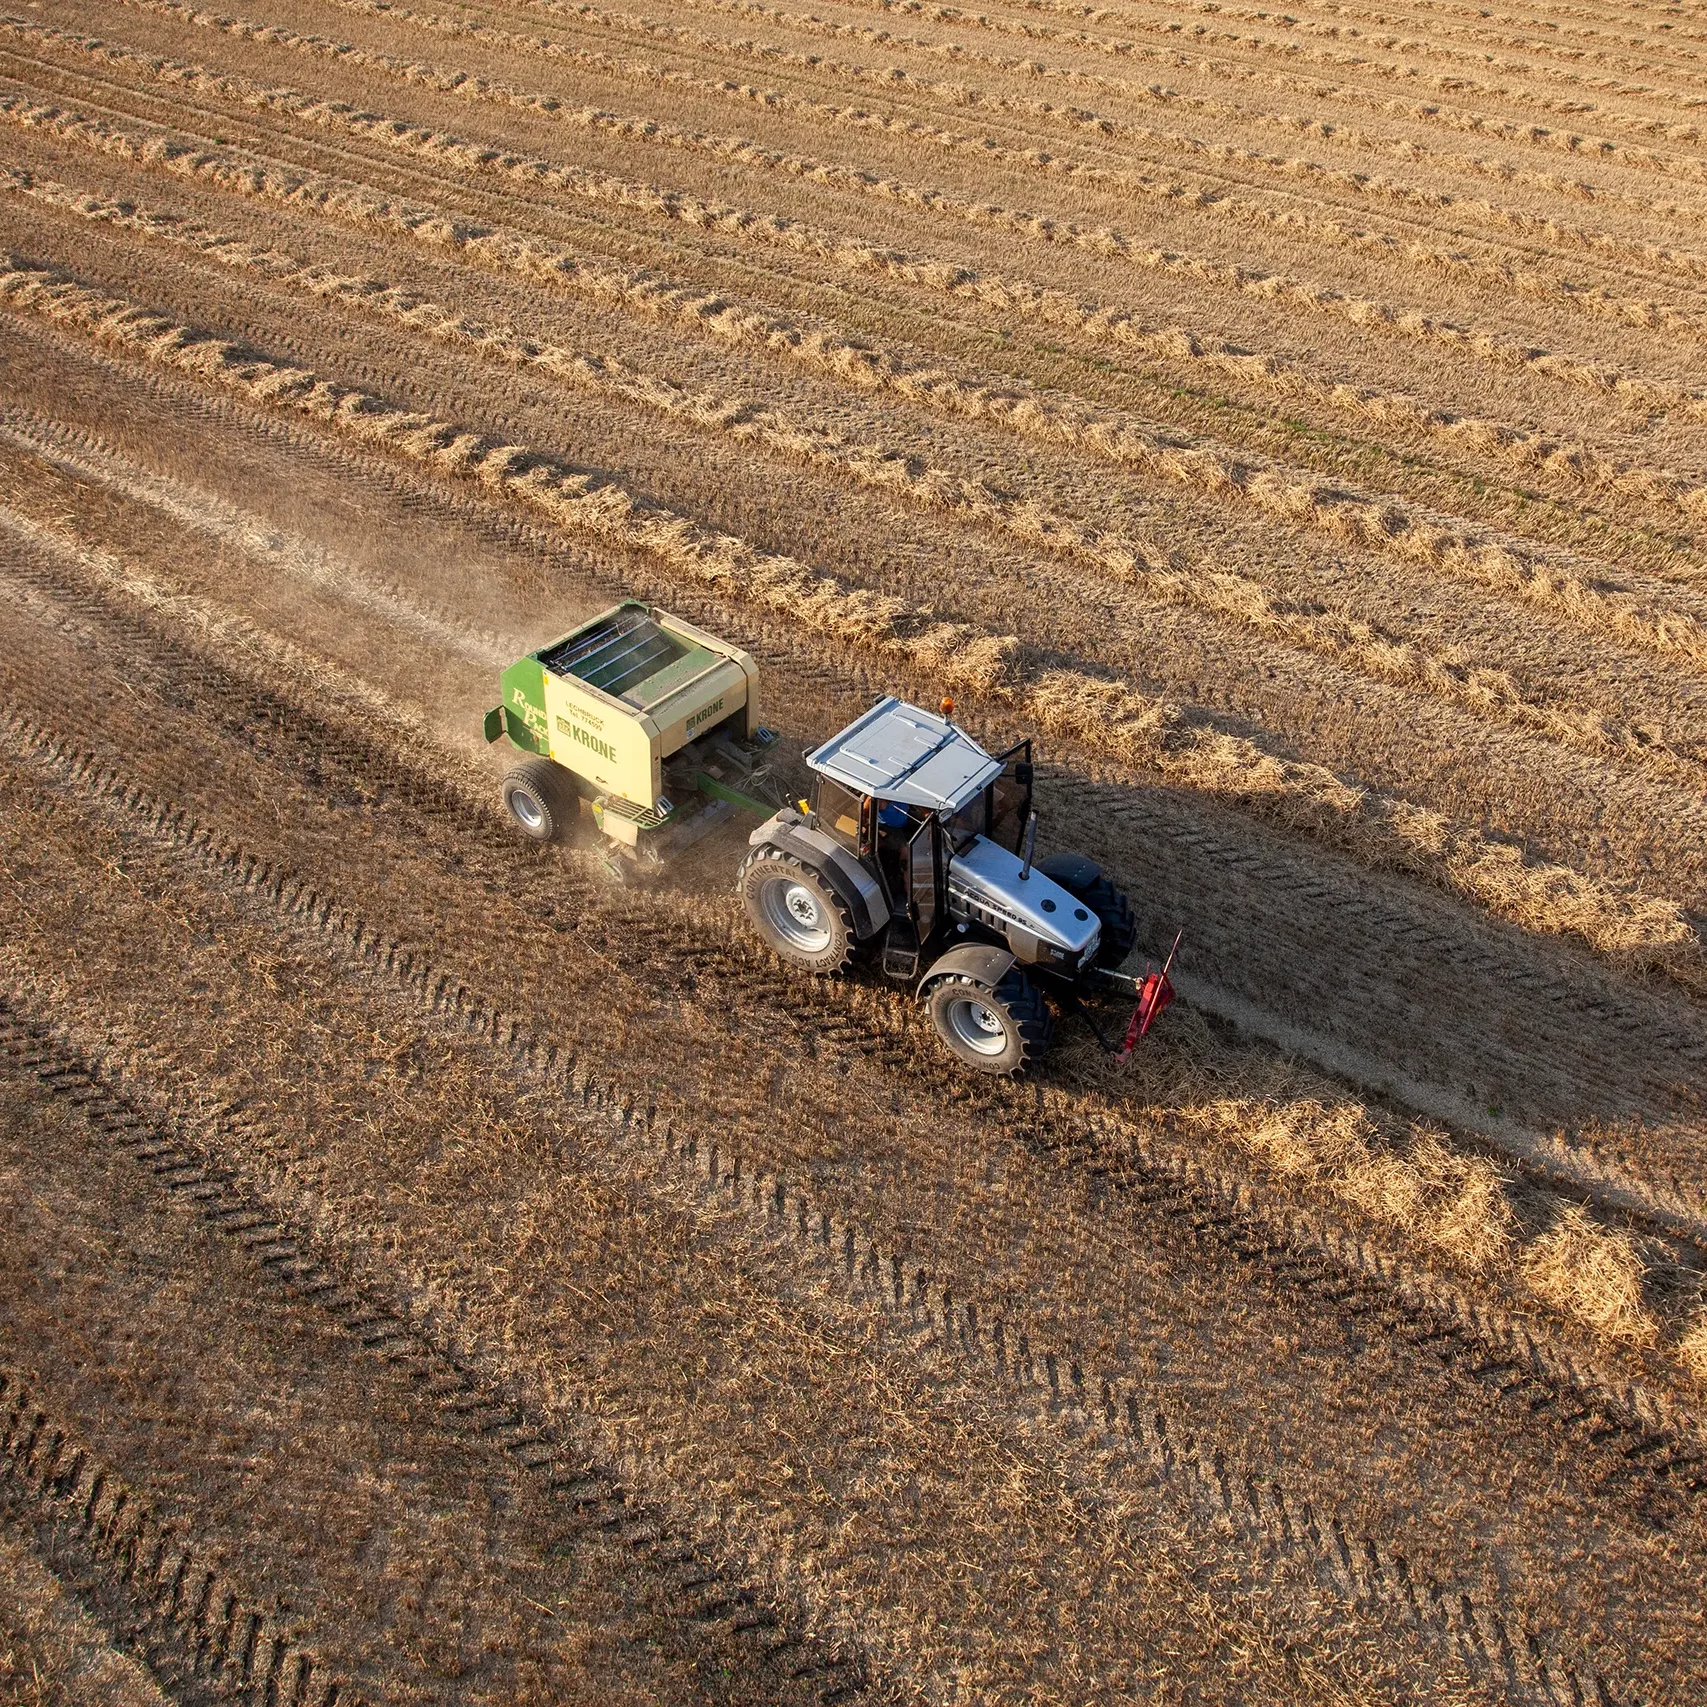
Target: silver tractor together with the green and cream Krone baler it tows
(914,853)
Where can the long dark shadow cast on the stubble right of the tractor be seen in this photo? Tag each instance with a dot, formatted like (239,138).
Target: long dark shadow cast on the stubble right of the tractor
(1387,981)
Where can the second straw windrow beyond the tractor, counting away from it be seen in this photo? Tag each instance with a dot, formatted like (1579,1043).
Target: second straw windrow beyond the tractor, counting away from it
(892,472)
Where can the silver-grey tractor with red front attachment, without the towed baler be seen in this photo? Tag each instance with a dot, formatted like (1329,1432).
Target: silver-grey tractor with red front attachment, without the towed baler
(918,849)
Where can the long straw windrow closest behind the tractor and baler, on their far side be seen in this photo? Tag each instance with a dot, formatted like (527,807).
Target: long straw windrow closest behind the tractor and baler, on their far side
(1102,716)
